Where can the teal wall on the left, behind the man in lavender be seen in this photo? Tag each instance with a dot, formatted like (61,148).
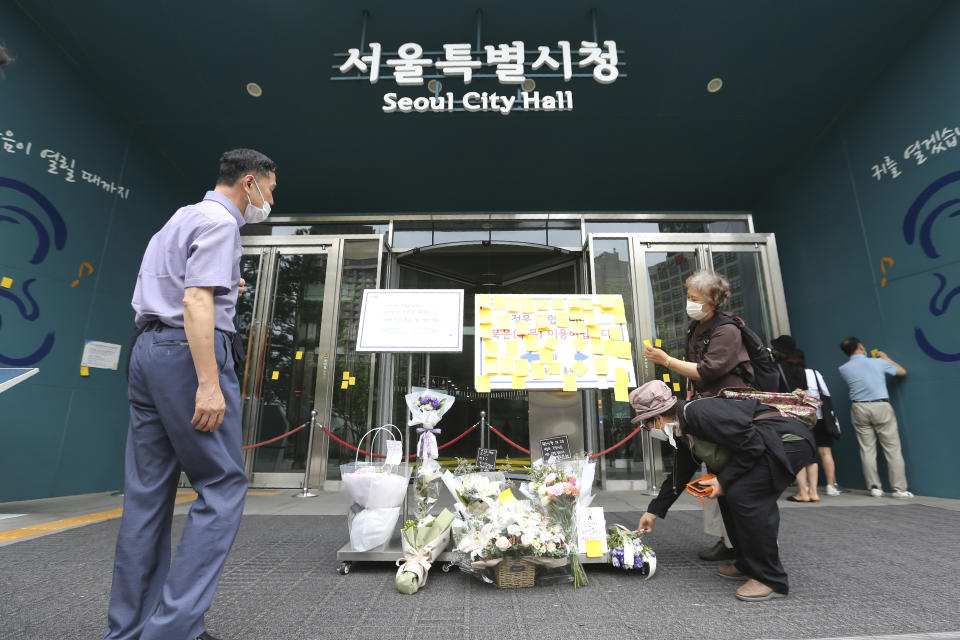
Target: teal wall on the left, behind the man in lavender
(61,433)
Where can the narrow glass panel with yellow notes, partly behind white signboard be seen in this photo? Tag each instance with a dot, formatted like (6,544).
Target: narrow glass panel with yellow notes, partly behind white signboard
(352,408)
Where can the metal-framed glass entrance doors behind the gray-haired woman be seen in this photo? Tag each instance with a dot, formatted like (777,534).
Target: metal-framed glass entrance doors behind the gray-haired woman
(650,271)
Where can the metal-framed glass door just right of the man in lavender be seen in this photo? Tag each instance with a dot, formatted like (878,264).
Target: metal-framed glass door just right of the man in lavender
(285,320)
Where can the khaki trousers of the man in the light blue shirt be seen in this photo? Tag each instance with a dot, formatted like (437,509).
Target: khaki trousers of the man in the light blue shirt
(875,421)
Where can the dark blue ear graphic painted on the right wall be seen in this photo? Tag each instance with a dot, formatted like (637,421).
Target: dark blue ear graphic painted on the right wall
(915,230)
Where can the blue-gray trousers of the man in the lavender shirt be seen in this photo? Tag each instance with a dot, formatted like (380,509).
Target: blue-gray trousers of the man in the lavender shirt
(156,596)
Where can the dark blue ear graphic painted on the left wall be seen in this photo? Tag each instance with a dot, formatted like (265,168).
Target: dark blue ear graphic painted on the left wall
(51,232)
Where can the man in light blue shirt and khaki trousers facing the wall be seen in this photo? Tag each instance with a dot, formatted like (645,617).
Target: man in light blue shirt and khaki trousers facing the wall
(872,415)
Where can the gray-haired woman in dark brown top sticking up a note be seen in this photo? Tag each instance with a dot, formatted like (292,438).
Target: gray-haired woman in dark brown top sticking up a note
(715,359)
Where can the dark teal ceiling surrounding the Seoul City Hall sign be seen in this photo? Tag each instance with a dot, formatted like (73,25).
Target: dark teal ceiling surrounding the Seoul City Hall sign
(653,140)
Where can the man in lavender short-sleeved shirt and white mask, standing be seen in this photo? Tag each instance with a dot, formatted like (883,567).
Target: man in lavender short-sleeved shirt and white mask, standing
(185,410)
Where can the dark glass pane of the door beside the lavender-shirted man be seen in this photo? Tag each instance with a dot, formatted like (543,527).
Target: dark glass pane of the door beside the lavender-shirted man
(287,383)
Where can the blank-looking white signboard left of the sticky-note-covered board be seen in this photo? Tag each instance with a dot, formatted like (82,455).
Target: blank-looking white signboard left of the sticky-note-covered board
(420,320)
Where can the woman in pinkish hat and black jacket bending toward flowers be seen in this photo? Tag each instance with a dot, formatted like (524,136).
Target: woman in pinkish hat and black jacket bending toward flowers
(763,451)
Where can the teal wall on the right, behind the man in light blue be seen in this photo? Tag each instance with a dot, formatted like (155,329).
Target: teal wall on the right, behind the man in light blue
(836,223)
